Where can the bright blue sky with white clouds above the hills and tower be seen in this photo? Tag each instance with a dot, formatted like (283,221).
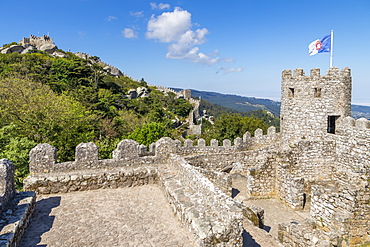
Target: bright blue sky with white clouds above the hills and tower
(235,47)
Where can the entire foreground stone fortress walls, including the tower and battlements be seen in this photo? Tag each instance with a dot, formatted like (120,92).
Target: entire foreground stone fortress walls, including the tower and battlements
(319,162)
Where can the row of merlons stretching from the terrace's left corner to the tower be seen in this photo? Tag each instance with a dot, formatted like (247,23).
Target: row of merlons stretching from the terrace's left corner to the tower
(43,157)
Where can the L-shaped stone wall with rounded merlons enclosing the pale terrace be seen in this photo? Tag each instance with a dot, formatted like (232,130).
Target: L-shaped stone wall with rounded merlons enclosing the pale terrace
(214,218)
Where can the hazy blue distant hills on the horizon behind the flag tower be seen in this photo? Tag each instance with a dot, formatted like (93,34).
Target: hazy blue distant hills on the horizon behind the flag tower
(246,104)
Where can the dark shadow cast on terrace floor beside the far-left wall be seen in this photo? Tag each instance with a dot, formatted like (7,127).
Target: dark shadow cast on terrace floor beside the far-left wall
(41,221)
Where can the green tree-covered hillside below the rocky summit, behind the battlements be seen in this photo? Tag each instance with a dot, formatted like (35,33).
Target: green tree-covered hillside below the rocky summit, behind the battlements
(67,100)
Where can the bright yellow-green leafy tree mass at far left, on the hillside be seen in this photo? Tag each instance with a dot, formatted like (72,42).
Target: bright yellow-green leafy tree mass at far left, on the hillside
(44,116)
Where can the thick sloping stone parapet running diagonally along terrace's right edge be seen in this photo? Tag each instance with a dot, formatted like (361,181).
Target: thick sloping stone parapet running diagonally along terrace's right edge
(214,218)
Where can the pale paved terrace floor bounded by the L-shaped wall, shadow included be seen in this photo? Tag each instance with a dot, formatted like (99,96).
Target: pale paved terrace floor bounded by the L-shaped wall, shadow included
(138,216)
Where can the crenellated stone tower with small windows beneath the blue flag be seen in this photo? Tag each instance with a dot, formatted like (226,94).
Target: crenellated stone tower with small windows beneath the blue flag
(311,105)
